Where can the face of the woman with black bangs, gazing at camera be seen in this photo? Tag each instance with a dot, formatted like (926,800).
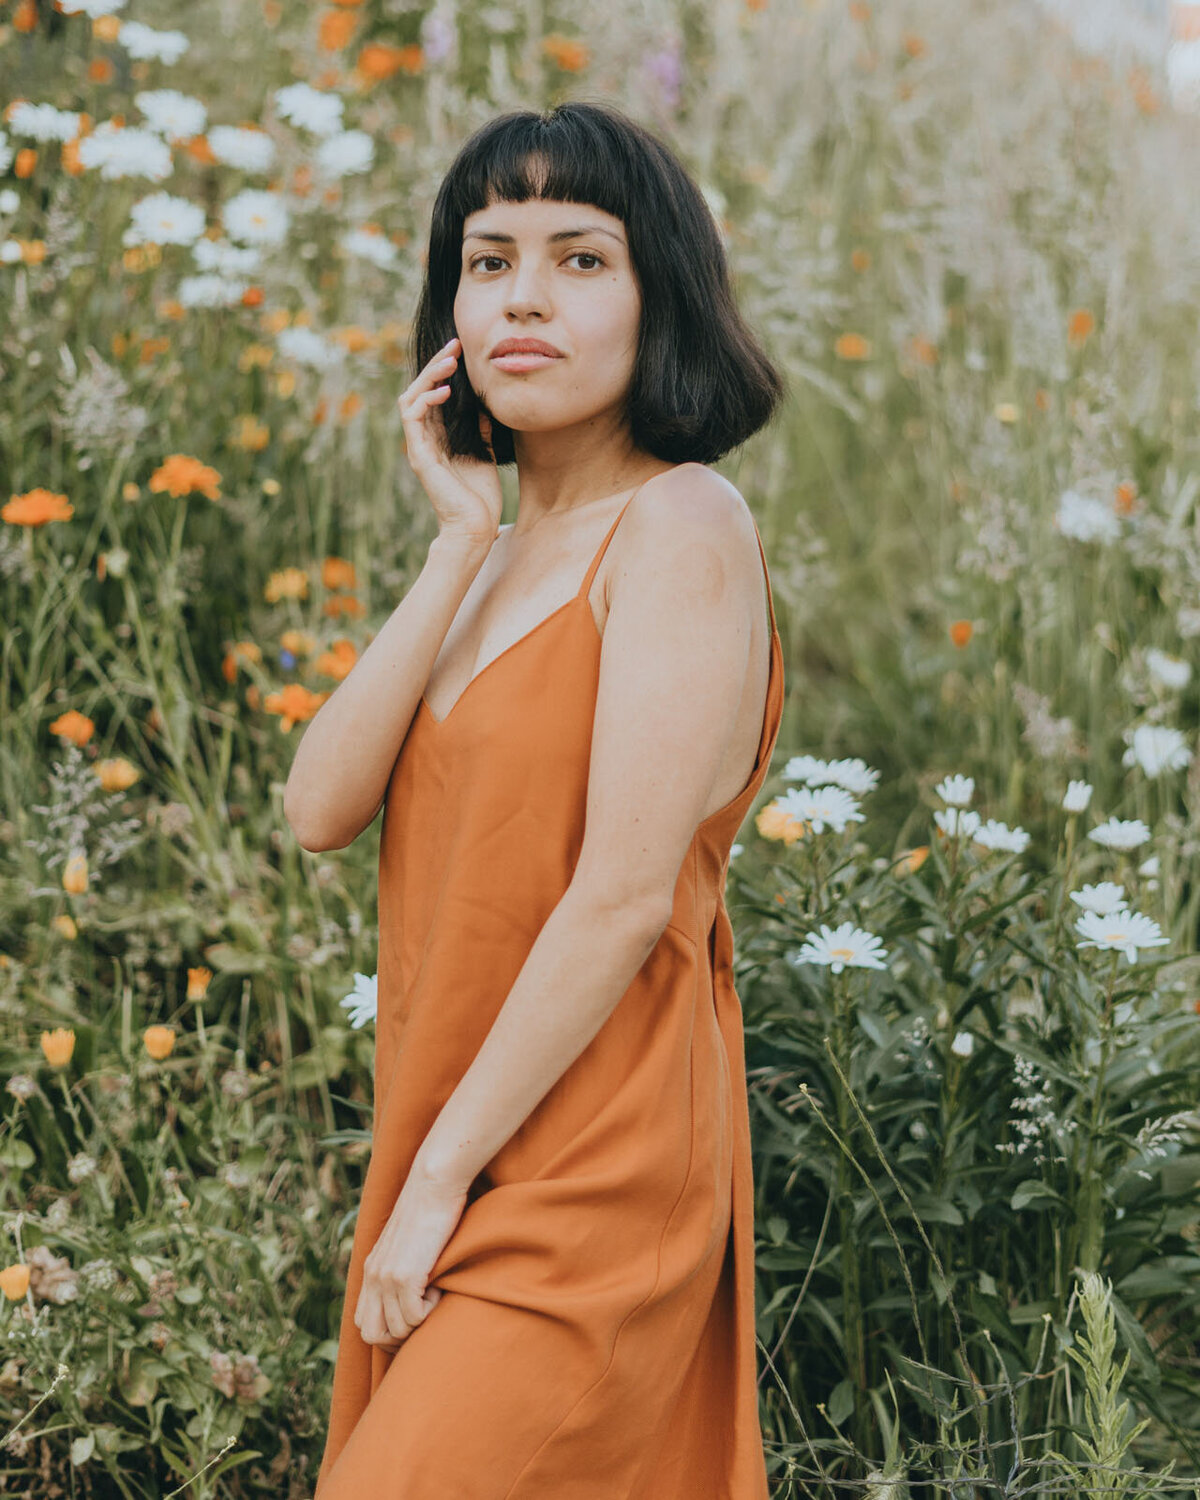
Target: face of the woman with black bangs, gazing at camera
(559,272)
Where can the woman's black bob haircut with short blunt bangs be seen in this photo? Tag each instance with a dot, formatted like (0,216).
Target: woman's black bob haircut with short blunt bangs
(701,382)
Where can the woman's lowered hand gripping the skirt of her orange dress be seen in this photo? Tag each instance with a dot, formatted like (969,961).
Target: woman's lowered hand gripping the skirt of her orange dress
(392,1301)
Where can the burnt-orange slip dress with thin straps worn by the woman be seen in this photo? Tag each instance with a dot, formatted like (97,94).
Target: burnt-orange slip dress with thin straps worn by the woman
(596,1333)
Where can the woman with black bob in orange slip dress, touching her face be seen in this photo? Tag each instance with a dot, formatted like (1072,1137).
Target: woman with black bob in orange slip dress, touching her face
(551,1286)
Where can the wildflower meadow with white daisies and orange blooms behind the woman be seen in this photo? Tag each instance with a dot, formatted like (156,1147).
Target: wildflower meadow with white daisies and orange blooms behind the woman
(967,908)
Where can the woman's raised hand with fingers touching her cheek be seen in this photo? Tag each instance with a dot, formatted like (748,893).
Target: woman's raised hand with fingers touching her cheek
(466,493)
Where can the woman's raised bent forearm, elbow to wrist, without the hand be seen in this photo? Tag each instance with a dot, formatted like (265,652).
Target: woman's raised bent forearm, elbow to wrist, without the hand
(343,764)
